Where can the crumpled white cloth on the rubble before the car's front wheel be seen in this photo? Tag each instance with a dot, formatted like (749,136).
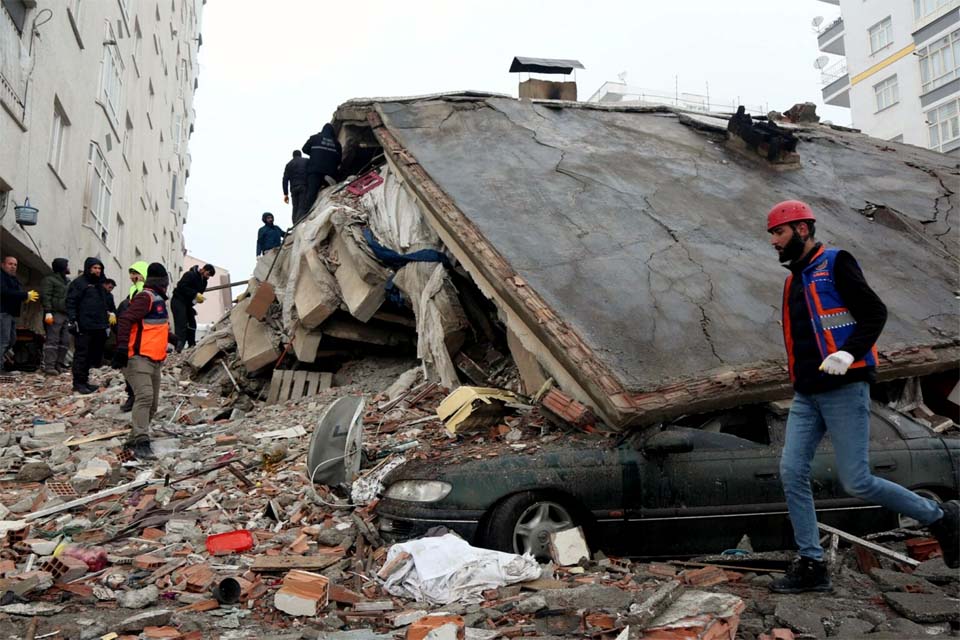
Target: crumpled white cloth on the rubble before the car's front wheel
(446,569)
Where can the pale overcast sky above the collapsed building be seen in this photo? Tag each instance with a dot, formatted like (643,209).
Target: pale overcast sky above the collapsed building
(271,73)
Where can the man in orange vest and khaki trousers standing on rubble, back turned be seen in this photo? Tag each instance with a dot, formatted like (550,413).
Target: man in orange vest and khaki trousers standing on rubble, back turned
(144,331)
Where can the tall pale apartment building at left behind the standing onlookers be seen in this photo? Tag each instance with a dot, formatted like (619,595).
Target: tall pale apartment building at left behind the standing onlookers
(97,112)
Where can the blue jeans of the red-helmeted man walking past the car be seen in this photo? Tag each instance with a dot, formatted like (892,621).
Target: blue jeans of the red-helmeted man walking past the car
(845,414)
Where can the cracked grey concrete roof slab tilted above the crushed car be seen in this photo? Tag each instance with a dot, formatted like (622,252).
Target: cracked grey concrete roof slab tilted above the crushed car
(647,235)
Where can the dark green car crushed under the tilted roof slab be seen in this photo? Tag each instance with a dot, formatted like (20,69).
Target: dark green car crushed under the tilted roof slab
(692,487)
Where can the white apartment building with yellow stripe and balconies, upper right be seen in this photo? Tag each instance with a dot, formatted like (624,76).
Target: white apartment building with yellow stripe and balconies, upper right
(896,65)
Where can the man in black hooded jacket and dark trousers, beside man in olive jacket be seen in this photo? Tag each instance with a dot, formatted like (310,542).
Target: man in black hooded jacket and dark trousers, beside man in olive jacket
(90,313)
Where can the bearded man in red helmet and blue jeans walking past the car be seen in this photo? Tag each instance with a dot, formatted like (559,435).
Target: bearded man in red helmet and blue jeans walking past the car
(831,322)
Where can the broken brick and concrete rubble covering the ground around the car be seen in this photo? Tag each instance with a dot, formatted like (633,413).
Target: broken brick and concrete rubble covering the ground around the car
(224,536)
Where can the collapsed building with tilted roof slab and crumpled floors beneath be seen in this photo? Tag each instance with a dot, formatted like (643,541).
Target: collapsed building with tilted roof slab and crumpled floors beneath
(618,251)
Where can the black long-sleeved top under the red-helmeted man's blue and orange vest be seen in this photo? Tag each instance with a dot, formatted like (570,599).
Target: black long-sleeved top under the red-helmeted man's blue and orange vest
(865,306)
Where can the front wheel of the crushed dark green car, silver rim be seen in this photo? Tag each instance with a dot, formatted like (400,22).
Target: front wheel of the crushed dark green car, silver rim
(523,523)
